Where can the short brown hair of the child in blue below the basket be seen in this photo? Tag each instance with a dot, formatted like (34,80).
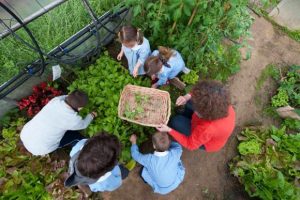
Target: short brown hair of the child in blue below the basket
(161,141)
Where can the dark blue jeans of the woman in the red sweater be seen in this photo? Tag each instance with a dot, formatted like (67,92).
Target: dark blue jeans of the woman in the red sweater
(182,122)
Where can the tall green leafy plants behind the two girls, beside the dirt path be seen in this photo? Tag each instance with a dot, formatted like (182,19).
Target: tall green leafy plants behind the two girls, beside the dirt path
(197,29)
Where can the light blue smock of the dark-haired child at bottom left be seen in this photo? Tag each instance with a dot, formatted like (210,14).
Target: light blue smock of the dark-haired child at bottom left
(109,181)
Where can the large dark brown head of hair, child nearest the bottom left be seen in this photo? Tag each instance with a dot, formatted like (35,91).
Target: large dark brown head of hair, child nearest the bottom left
(99,155)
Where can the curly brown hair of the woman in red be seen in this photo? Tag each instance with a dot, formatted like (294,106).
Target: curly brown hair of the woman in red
(211,99)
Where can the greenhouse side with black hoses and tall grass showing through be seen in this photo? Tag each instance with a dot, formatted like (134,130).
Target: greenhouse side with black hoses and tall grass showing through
(36,34)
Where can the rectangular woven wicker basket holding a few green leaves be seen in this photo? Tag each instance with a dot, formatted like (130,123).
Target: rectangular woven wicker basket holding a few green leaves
(156,110)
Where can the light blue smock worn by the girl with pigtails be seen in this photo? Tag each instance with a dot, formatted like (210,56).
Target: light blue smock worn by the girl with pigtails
(139,53)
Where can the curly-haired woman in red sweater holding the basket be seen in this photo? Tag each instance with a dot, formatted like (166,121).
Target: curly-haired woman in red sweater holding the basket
(208,119)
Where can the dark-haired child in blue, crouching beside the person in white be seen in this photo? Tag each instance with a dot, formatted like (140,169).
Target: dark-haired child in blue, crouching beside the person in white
(94,163)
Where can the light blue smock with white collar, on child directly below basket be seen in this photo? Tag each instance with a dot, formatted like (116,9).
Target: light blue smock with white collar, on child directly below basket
(163,171)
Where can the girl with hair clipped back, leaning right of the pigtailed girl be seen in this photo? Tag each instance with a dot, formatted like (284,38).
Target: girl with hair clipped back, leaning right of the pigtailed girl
(164,64)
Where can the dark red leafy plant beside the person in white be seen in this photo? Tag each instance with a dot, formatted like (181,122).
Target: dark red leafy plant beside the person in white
(41,95)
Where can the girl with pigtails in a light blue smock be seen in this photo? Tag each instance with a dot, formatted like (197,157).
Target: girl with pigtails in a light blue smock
(136,49)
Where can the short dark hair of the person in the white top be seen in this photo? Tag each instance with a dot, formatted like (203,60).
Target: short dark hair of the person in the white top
(77,99)
